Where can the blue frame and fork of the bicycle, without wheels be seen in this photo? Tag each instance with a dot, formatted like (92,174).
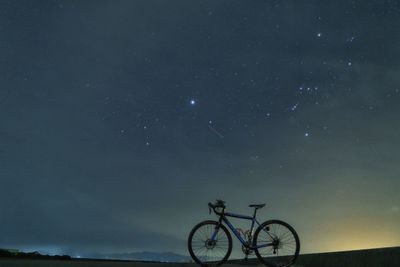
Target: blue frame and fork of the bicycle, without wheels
(223,218)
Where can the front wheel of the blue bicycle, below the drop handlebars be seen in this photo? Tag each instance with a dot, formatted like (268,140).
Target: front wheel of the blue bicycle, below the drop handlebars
(205,250)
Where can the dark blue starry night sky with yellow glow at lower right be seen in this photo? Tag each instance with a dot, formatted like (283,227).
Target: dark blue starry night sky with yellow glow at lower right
(121,120)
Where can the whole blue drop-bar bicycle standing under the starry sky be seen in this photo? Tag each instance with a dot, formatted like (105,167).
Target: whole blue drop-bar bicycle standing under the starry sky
(275,243)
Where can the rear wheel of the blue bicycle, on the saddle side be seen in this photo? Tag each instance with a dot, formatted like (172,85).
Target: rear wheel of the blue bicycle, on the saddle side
(276,243)
